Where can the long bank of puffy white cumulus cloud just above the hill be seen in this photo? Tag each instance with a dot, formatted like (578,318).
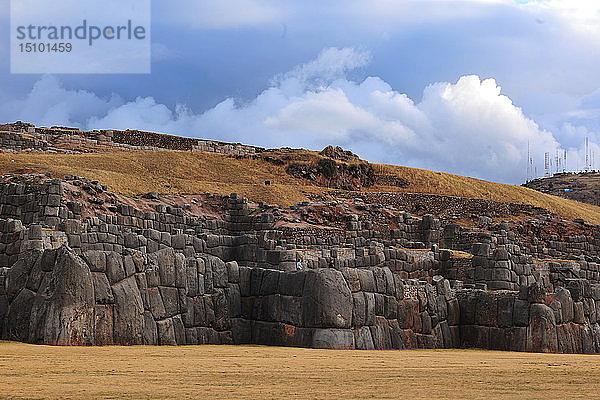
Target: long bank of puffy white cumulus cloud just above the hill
(467,127)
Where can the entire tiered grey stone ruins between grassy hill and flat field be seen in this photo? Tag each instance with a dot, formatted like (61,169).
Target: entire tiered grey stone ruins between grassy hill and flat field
(126,276)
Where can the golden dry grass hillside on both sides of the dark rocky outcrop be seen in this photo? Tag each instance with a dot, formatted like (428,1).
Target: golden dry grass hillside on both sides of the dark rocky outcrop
(177,172)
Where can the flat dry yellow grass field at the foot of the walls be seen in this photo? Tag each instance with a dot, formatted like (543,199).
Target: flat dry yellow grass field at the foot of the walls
(251,372)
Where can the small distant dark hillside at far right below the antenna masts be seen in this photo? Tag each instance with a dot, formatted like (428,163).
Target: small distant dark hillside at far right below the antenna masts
(583,187)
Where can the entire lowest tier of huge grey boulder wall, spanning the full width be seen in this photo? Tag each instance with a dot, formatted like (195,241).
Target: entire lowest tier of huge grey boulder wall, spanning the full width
(102,297)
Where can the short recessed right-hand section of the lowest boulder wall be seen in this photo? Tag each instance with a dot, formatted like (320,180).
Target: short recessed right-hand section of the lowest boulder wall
(531,320)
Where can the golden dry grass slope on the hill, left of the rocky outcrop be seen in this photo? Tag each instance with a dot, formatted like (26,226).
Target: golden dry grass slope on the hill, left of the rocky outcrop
(169,172)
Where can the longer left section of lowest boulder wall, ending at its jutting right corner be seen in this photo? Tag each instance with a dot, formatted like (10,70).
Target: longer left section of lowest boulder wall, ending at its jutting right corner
(104,297)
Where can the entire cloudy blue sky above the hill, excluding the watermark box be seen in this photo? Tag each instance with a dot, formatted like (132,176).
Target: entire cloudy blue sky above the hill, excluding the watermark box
(458,86)
